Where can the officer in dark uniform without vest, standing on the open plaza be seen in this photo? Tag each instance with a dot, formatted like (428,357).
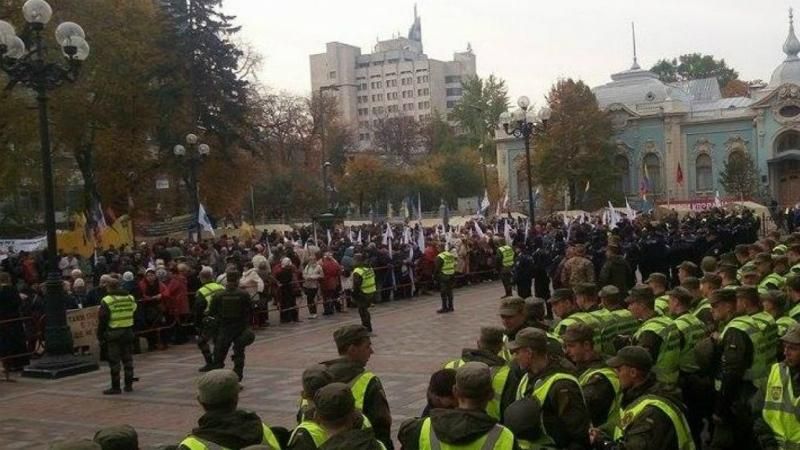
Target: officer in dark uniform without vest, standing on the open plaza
(232,310)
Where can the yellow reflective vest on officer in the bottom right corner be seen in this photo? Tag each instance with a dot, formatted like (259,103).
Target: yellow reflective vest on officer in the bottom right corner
(782,408)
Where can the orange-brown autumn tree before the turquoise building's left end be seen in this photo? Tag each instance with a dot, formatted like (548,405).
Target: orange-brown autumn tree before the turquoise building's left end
(576,148)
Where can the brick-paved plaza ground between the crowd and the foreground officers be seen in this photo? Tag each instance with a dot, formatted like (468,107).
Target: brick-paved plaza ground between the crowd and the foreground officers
(411,342)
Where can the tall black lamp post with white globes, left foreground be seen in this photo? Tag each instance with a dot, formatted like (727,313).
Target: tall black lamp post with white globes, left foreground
(25,63)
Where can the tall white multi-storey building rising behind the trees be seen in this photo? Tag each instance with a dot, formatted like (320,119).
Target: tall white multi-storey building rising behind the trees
(396,79)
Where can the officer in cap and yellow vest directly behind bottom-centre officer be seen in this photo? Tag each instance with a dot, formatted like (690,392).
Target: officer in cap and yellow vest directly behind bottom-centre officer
(504,382)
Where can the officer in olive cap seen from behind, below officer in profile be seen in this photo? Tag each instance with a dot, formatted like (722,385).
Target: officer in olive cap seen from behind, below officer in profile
(340,420)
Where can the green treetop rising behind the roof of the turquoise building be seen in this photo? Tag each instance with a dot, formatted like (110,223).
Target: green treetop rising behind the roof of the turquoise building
(694,66)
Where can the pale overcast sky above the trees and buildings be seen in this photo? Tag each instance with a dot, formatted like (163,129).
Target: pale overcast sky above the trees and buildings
(529,43)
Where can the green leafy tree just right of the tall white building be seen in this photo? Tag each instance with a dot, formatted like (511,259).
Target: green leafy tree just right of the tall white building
(478,111)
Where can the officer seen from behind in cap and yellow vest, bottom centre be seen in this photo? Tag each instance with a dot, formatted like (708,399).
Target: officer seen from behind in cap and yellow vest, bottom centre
(468,427)
